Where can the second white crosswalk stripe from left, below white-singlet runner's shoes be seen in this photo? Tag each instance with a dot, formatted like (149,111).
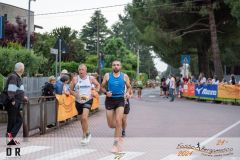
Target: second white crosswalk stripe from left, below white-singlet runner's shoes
(69,154)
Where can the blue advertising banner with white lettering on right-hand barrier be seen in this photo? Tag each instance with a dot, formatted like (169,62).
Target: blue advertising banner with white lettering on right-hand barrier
(206,90)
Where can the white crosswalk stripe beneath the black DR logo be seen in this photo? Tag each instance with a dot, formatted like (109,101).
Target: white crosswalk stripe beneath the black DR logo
(23,151)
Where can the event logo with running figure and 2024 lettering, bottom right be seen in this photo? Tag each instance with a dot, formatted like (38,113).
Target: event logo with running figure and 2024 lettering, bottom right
(220,148)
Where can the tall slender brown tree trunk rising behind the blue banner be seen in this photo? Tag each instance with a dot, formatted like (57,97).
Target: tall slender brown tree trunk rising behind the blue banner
(214,42)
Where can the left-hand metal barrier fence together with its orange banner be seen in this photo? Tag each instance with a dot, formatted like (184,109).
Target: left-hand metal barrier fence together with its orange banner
(40,113)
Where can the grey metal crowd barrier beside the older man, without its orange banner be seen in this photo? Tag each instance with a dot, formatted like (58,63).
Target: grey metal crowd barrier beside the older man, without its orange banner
(40,116)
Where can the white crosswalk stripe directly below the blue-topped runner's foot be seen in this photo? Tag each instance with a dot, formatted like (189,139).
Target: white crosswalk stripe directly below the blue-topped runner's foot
(125,156)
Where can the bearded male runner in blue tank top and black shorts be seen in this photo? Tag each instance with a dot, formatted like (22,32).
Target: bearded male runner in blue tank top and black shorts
(115,100)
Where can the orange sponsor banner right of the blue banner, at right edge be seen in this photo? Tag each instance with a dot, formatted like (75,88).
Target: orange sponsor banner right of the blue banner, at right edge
(229,91)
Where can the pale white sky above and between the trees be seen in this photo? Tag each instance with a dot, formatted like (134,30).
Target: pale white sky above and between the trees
(74,20)
